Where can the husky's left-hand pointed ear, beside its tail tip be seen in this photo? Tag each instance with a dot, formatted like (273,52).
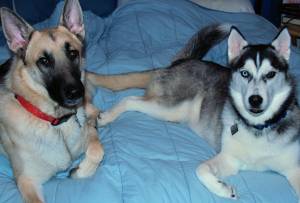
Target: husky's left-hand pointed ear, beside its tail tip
(236,42)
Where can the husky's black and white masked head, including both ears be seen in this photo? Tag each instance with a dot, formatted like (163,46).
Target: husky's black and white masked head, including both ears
(259,84)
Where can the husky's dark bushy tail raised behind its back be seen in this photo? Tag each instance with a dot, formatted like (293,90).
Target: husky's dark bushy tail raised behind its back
(203,41)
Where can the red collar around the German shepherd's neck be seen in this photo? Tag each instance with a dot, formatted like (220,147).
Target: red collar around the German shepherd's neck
(41,115)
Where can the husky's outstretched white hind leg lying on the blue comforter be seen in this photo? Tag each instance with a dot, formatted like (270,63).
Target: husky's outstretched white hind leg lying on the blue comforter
(148,106)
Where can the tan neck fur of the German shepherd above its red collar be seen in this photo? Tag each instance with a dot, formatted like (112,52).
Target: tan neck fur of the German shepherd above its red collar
(22,84)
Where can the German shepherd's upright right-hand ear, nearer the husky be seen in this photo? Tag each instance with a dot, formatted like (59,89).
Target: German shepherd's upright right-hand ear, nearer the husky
(72,18)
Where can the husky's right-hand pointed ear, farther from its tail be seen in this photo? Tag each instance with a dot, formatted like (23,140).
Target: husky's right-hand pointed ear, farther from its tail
(282,43)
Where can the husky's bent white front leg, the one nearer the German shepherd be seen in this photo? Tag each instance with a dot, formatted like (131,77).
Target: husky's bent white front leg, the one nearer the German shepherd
(212,171)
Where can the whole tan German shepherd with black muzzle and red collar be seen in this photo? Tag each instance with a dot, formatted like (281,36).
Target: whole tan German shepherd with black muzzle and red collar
(46,118)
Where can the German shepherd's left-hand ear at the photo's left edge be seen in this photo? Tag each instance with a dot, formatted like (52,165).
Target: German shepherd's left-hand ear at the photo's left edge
(16,30)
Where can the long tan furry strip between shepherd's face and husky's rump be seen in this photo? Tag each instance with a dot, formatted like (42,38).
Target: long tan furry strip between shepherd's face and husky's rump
(121,82)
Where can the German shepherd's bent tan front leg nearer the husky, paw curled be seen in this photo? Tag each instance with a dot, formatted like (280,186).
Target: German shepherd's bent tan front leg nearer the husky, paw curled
(94,150)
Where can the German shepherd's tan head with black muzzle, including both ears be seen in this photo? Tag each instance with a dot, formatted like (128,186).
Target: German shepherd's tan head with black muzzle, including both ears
(52,59)
